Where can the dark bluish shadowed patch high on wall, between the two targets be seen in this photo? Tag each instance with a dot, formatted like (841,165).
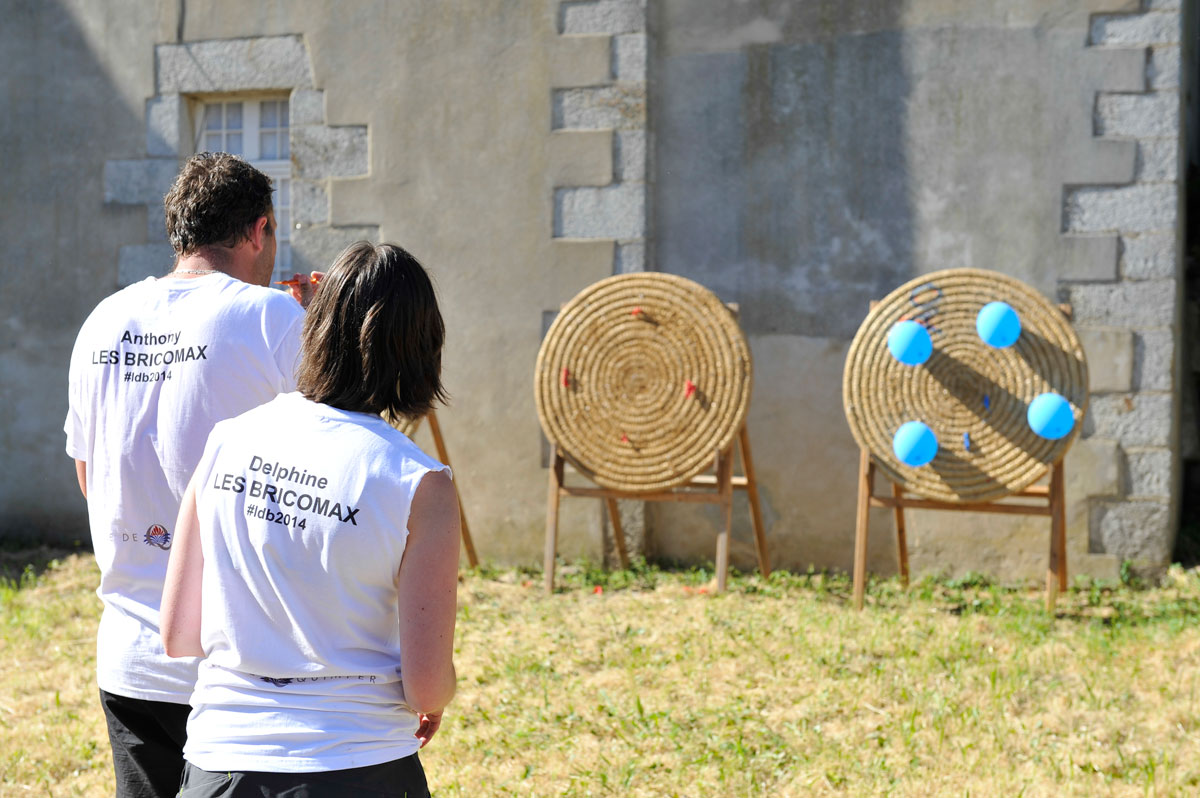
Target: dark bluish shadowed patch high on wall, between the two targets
(782,178)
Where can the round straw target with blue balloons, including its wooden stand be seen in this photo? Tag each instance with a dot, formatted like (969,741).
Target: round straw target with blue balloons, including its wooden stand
(974,397)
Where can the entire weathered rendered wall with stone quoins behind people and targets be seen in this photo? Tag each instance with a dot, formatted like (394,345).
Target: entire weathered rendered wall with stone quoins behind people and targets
(799,159)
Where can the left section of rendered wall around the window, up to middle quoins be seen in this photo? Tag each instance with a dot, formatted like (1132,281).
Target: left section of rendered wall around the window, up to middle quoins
(424,124)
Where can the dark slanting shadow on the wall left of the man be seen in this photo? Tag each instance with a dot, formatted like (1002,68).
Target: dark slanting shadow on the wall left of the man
(58,248)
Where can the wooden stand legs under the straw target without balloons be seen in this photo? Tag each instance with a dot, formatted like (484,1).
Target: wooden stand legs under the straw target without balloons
(709,489)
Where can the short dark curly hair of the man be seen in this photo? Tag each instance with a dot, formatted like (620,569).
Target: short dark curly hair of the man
(217,200)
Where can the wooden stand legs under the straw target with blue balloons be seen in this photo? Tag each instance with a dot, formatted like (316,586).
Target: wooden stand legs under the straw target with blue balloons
(1051,502)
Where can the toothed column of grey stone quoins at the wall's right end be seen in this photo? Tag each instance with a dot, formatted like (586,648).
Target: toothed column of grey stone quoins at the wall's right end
(1127,313)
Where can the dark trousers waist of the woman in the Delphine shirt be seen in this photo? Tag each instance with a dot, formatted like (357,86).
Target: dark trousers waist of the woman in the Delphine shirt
(398,779)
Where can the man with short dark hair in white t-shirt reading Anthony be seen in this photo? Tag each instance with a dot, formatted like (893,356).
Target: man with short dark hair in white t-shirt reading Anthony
(154,368)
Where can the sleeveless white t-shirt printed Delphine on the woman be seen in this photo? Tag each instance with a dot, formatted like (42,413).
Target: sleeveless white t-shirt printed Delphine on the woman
(304,517)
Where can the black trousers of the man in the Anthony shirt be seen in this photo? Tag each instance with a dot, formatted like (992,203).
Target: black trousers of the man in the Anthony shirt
(148,745)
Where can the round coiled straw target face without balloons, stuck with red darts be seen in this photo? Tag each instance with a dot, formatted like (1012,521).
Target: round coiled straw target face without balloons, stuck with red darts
(641,380)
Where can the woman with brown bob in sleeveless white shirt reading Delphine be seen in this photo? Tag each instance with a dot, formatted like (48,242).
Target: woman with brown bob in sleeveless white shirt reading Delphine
(316,561)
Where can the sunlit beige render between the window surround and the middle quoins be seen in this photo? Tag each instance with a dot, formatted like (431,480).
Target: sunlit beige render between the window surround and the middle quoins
(457,99)
